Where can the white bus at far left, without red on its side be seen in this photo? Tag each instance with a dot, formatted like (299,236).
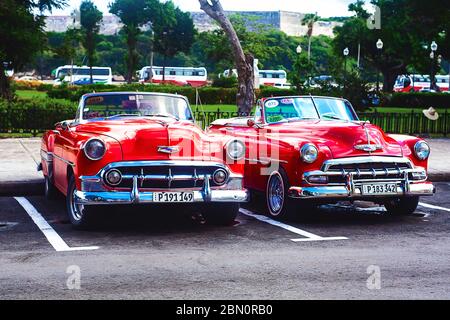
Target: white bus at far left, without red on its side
(81,75)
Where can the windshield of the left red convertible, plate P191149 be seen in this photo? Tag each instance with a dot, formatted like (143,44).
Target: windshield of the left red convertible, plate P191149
(113,106)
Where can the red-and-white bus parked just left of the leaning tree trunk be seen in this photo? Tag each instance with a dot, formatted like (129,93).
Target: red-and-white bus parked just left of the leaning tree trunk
(180,76)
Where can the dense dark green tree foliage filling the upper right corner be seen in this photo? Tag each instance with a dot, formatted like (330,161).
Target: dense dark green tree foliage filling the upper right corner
(408,27)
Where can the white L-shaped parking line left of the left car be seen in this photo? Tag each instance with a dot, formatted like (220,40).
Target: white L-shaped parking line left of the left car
(52,236)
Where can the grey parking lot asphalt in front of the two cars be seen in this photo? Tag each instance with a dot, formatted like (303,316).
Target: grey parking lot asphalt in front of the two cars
(346,252)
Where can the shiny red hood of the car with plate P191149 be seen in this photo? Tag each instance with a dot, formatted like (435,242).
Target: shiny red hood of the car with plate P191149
(153,139)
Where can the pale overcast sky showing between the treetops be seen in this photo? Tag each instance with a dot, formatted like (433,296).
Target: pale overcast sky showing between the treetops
(325,8)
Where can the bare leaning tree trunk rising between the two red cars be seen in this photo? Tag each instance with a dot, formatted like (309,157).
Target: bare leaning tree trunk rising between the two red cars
(244,62)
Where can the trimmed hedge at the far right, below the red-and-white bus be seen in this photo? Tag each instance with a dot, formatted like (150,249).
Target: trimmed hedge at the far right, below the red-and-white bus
(417,100)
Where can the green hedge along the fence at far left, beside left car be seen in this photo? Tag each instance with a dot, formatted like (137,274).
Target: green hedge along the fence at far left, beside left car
(33,115)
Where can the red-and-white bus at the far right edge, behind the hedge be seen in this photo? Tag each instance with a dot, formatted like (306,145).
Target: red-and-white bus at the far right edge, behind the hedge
(417,82)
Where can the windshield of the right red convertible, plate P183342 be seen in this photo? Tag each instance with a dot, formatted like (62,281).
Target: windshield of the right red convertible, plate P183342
(306,108)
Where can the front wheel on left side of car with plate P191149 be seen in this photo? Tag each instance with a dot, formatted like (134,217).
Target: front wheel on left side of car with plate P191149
(80,216)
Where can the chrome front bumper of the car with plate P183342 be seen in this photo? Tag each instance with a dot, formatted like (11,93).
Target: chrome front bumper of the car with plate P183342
(353,188)
